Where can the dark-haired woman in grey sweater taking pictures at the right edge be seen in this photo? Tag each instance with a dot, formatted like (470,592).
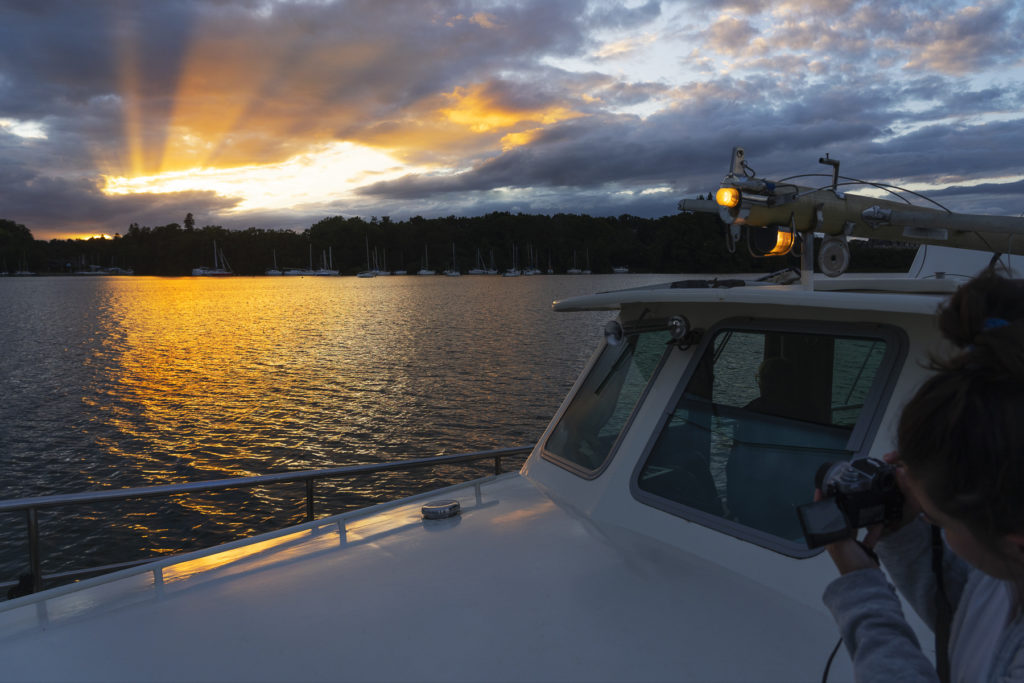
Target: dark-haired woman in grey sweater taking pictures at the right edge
(961,465)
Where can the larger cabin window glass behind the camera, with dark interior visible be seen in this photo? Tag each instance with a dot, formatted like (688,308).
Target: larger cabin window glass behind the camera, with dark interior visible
(760,415)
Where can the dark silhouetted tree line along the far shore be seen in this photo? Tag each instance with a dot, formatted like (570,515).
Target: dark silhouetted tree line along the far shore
(681,243)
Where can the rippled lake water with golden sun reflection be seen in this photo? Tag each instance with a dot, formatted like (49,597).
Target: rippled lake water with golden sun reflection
(114,382)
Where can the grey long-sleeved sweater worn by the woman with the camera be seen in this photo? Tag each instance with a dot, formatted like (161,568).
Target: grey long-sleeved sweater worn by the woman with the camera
(883,646)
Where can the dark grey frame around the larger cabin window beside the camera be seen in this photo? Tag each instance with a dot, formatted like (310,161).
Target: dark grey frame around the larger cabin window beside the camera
(876,404)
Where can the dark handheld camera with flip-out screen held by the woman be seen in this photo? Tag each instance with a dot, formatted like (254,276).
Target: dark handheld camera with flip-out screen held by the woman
(858,494)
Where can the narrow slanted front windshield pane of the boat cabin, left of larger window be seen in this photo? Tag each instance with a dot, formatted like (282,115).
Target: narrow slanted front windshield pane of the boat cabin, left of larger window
(602,408)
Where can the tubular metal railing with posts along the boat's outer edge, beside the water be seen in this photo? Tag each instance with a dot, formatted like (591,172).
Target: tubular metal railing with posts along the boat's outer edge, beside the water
(32,506)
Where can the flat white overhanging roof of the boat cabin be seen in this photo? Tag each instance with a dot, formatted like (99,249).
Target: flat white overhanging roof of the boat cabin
(904,295)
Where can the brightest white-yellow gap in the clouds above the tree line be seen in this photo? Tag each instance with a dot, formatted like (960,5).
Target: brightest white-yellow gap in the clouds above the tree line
(325,175)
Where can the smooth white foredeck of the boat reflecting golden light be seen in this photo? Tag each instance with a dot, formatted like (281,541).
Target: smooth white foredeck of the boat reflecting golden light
(517,588)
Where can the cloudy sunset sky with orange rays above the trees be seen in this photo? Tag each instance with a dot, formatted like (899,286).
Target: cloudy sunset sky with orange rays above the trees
(277,114)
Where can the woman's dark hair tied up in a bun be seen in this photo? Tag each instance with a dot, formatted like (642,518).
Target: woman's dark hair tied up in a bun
(962,436)
